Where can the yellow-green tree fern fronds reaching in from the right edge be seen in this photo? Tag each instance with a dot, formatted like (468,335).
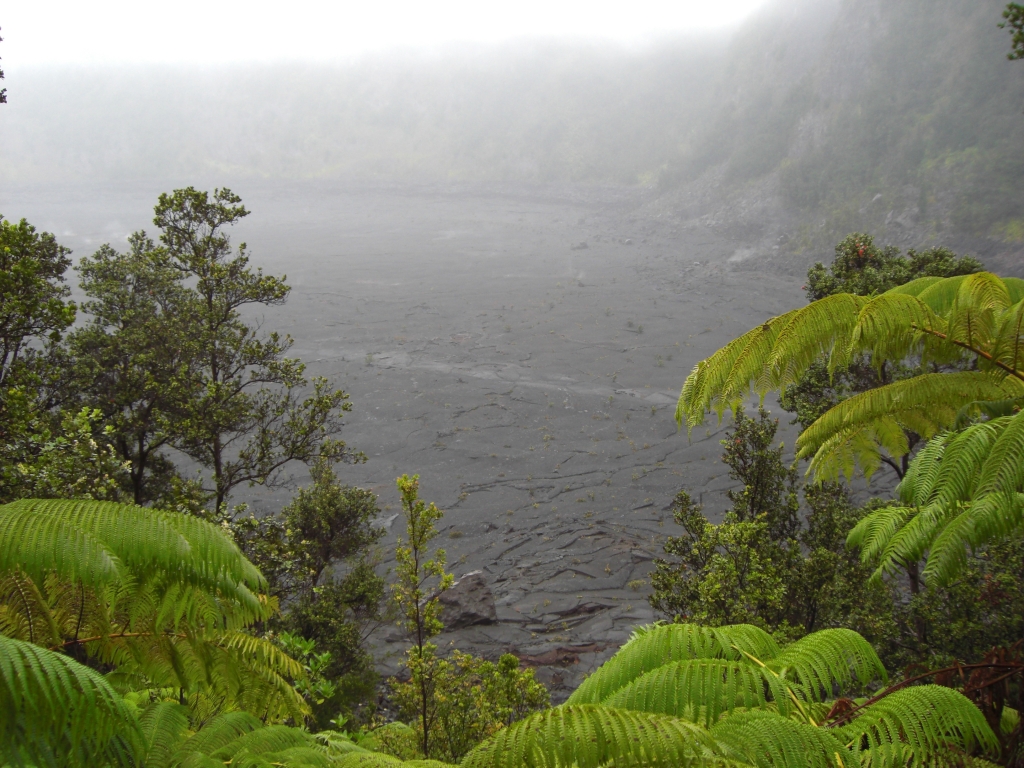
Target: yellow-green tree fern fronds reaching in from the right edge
(965,490)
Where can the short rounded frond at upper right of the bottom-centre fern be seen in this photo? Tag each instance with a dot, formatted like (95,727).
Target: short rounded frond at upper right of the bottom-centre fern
(823,662)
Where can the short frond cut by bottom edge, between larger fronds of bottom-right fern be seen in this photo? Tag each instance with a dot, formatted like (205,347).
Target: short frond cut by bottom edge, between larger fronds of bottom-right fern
(763,739)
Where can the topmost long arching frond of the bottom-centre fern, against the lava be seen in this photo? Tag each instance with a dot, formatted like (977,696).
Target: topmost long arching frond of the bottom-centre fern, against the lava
(674,643)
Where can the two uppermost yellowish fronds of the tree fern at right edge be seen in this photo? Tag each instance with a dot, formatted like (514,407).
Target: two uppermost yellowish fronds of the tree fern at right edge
(947,320)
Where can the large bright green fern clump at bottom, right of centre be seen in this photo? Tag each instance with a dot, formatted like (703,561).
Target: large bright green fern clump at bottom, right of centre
(718,706)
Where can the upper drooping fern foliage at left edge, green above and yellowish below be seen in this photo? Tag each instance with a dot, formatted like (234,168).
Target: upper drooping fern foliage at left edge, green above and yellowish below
(159,598)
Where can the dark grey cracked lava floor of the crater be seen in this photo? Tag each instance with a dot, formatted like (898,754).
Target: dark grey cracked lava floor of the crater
(529,379)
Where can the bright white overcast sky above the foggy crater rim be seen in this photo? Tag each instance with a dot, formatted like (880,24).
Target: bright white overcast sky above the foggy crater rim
(41,32)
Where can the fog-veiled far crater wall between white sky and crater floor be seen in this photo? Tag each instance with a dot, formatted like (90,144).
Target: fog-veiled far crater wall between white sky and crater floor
(534,111)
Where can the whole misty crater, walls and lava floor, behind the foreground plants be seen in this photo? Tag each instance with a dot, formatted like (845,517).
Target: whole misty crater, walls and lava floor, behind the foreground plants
(513,253)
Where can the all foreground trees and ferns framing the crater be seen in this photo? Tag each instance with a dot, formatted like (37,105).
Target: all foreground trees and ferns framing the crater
(206,634)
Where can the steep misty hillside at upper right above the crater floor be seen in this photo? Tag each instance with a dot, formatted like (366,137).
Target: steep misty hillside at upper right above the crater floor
(909,124)
